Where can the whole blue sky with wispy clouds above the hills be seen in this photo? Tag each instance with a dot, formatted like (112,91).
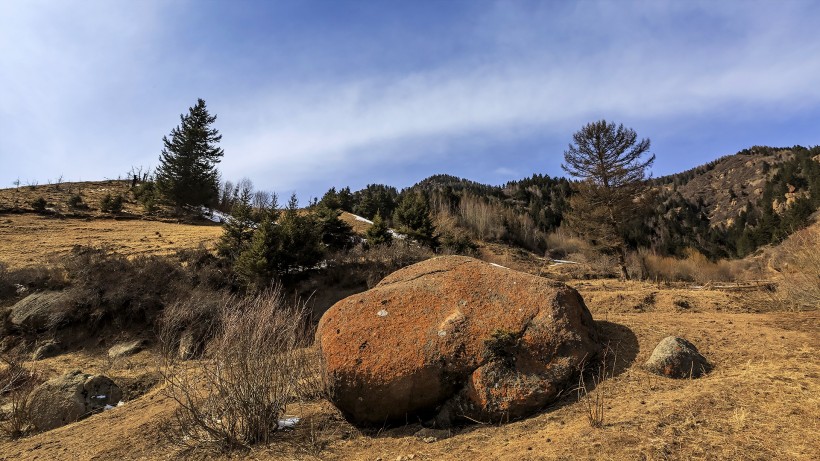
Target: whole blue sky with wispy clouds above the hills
(313,94)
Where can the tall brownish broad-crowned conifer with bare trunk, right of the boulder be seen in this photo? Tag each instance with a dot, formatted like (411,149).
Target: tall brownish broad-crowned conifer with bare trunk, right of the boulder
(608,159)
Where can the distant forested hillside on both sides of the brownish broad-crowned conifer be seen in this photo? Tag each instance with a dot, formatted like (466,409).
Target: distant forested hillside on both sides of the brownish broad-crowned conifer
(726,208)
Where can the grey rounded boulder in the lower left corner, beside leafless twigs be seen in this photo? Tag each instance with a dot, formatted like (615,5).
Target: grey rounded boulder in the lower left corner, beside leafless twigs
(69,398)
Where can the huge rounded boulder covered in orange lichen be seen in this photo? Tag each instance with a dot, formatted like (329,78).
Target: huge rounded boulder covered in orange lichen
(455,338)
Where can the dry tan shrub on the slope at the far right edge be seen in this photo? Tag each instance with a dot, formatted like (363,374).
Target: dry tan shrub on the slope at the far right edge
(799,270)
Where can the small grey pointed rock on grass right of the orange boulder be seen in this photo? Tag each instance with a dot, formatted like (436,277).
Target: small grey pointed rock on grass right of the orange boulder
(676,357)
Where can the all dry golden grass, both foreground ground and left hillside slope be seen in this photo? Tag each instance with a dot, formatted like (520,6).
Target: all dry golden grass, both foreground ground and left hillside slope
(761,402)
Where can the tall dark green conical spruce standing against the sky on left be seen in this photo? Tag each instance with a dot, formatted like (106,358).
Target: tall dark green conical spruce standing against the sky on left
(187,174)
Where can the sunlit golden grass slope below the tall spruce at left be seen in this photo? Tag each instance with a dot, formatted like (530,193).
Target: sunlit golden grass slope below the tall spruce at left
(28,239)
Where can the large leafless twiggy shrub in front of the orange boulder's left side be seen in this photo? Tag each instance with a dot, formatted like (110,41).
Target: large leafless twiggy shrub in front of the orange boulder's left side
(255,366)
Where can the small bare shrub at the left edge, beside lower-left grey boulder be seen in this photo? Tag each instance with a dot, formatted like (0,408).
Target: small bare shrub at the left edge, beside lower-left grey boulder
(16,383)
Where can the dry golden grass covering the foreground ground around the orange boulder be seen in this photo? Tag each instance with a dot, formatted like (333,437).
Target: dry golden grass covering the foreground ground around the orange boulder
(762,401)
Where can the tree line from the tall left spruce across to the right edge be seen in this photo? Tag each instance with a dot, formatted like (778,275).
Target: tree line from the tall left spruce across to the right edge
(610,200)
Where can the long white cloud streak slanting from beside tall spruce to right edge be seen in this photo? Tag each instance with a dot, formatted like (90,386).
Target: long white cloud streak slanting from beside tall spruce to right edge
(335,124)
